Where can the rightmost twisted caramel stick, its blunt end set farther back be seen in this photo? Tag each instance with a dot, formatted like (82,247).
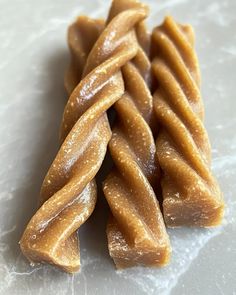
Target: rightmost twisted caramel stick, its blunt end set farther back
(191,195)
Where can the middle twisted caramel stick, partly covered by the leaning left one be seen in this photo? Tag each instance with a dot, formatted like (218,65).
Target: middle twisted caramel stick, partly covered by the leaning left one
(136,231)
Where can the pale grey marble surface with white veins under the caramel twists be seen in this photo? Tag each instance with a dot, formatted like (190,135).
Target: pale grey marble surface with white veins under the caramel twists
(33,58)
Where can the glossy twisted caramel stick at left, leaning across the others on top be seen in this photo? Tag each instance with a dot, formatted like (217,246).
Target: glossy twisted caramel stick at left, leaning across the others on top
(68,193)
